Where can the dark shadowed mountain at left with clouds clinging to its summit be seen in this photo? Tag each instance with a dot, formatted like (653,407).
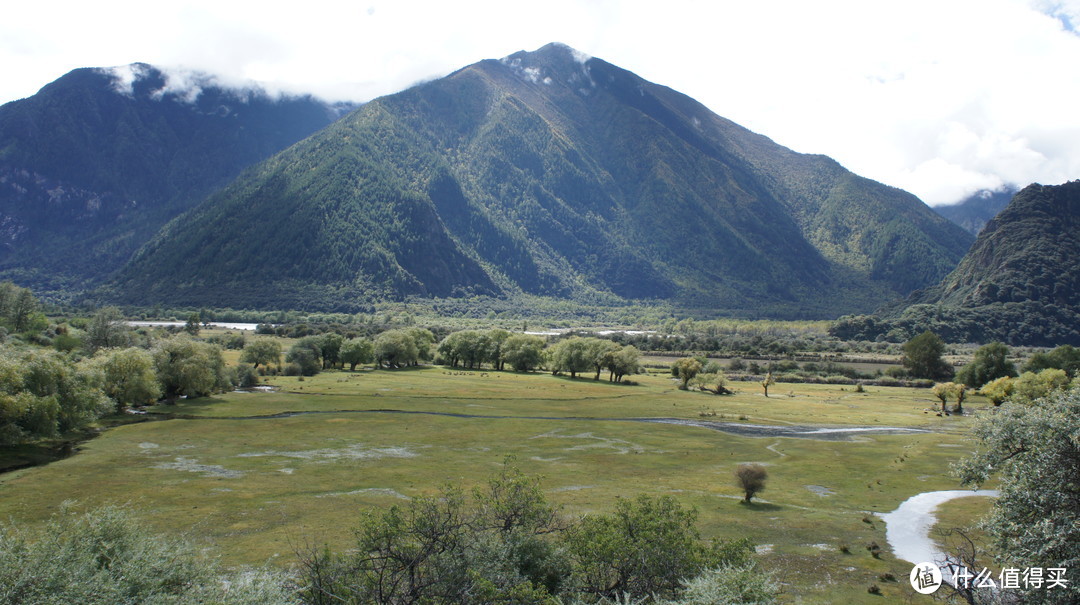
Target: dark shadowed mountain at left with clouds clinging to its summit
(97,163)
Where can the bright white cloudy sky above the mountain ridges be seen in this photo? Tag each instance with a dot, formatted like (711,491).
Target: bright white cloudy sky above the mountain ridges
(940,98)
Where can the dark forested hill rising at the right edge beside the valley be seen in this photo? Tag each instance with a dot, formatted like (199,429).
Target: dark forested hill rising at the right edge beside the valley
(1020,284)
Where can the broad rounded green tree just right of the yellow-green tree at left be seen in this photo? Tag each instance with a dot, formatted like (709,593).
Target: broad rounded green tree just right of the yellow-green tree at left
(190,368)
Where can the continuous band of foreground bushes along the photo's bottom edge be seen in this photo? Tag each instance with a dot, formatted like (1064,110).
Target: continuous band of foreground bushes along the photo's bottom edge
(501,544)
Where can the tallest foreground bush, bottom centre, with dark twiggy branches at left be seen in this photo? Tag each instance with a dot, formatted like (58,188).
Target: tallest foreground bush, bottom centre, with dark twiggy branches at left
(443,550)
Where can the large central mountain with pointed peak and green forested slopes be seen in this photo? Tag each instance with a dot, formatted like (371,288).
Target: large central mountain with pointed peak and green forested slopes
(555,174)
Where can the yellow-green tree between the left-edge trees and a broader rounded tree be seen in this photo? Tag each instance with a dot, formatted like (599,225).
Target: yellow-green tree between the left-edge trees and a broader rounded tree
(127,377)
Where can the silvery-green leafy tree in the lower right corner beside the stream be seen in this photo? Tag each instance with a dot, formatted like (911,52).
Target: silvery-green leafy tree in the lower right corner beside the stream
(1035,454)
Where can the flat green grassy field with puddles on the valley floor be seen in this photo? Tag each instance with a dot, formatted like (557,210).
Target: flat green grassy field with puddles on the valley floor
(255,482)
